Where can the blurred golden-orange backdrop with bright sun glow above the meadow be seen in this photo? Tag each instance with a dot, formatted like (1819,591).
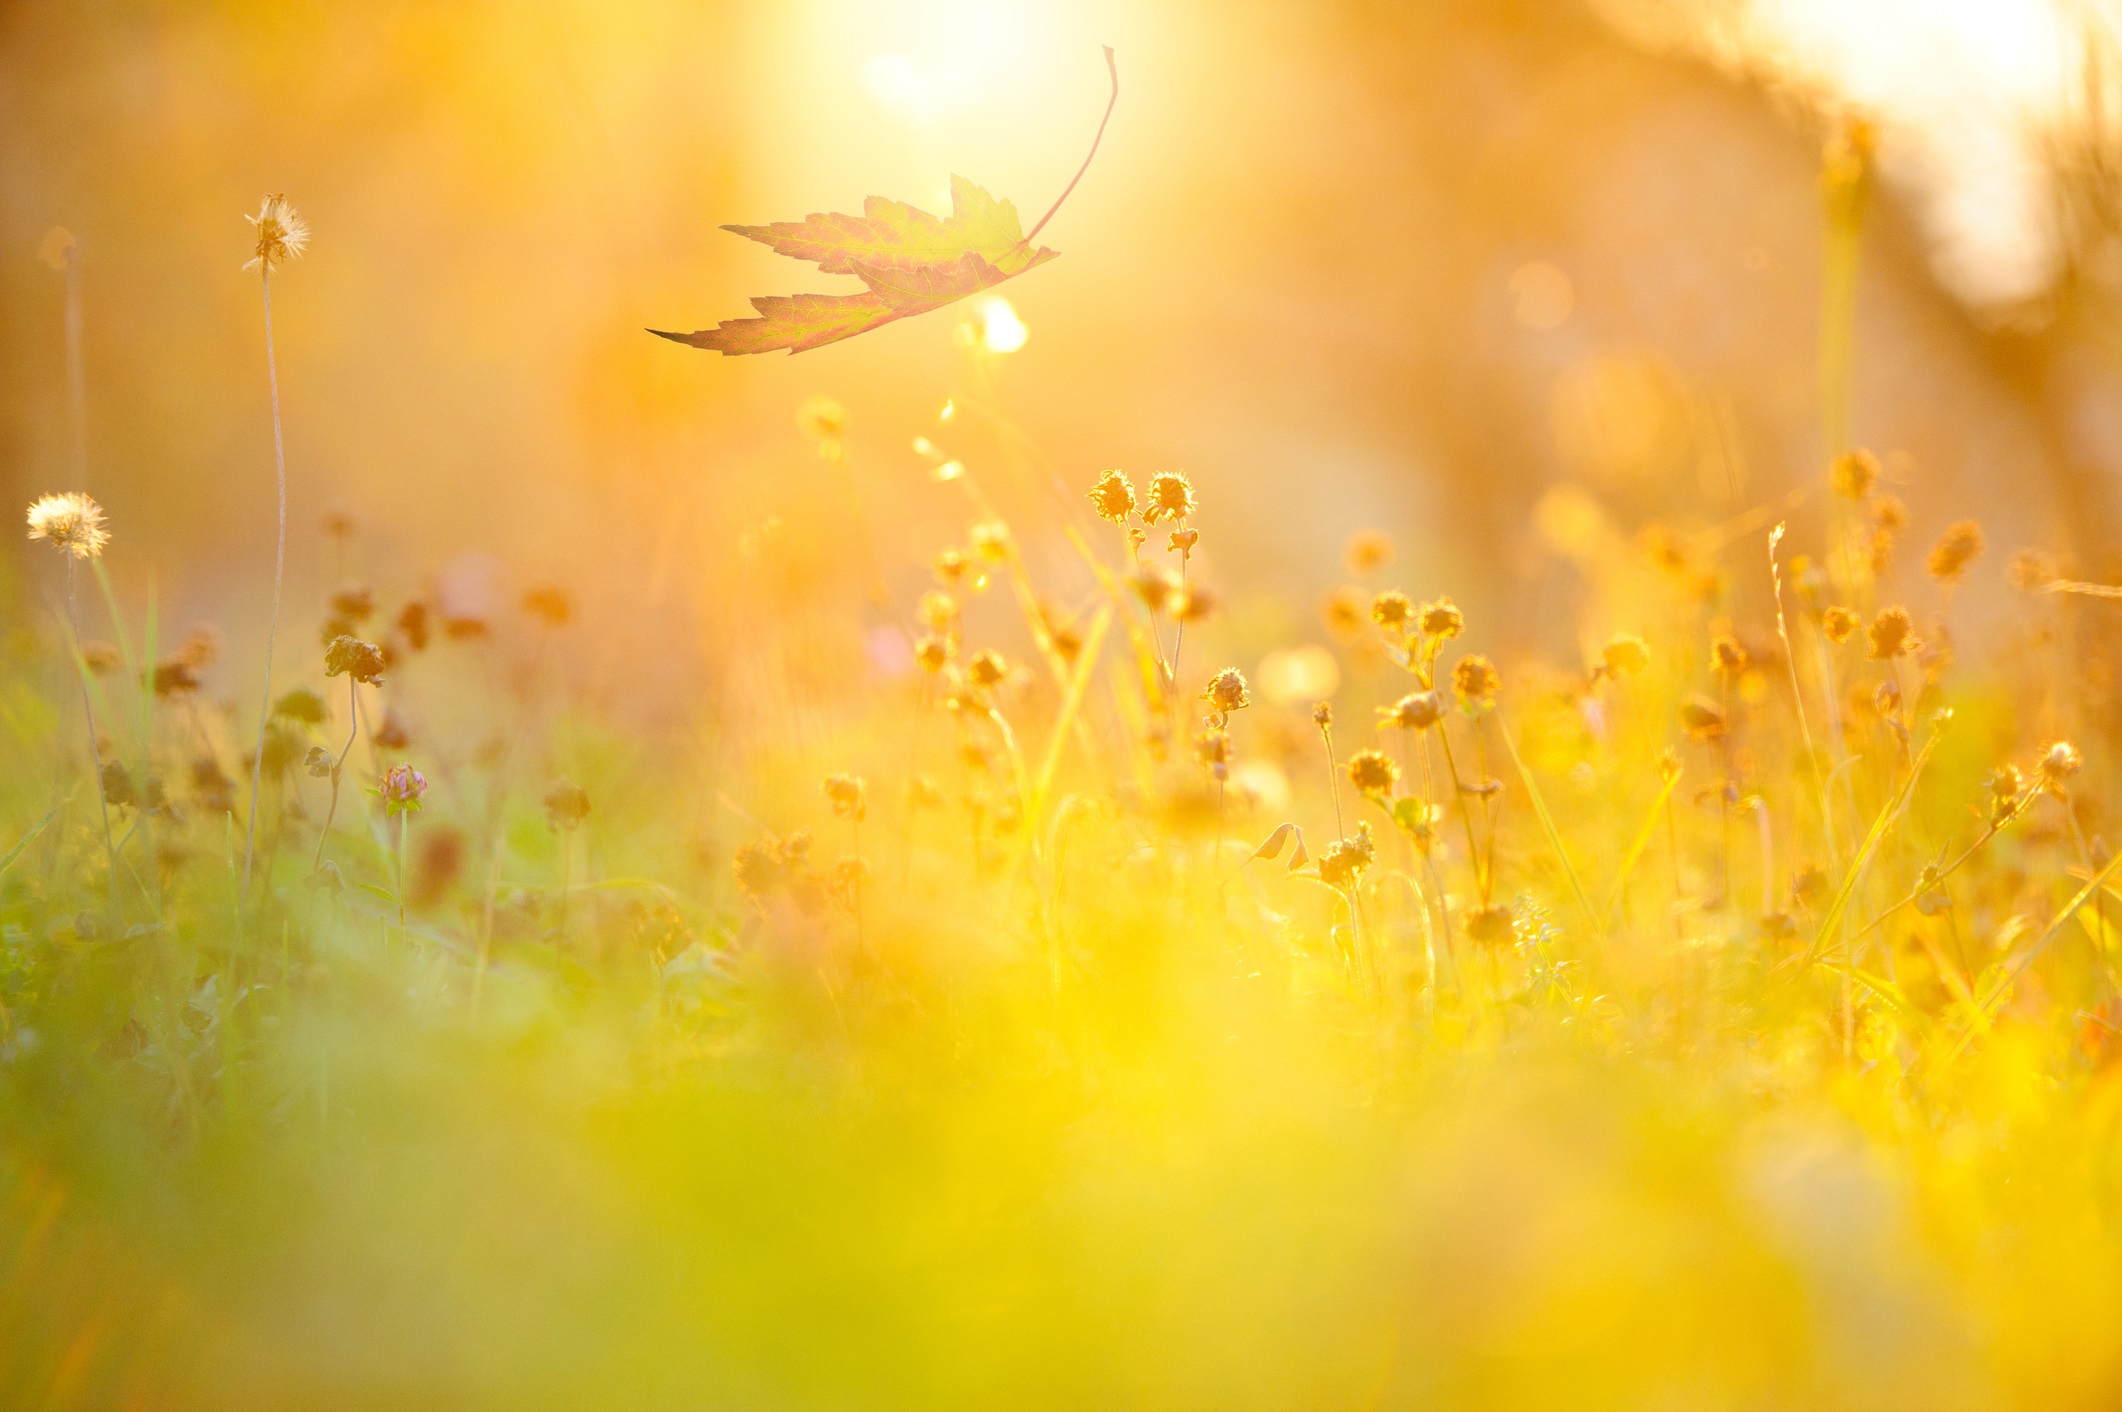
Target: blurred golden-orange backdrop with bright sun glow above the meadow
(1399,266)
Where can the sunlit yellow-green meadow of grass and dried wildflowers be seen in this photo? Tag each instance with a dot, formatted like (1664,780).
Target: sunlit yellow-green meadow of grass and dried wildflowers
(1051,1012)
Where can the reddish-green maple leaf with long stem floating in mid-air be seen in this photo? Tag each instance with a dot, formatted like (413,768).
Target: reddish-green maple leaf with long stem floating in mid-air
(909,262)
